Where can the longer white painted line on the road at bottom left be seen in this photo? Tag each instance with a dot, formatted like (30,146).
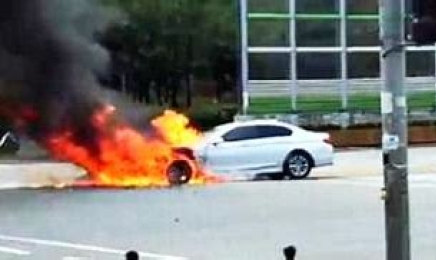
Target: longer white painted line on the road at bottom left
(83,247)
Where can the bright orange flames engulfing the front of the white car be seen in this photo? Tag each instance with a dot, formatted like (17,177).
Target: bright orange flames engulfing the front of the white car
(127,157)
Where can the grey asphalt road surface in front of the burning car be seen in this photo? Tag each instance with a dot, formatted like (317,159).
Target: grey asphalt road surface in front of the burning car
(336,218)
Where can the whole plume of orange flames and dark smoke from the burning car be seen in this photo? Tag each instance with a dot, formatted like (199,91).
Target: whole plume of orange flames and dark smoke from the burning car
(50,91)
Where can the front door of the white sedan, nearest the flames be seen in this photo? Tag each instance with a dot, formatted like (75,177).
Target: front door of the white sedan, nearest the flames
(234,153)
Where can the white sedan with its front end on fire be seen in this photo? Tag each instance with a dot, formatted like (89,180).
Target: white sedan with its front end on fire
(260,147)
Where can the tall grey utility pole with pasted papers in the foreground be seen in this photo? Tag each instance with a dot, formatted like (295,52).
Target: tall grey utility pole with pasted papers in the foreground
(394,139)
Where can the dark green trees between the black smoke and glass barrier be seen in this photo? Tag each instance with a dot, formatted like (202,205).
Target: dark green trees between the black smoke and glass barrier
(161,44)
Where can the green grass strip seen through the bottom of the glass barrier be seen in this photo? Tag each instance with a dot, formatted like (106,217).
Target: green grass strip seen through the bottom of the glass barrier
(325,103)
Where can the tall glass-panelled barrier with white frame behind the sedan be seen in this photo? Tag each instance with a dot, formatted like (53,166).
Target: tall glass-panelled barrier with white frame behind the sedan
(312,55)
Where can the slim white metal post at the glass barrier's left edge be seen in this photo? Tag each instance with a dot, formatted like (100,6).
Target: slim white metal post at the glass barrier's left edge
(244,54)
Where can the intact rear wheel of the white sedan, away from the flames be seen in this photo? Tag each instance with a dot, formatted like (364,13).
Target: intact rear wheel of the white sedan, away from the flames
(297,165)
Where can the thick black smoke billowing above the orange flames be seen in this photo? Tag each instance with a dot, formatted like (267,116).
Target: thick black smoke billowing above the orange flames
(49,60)
